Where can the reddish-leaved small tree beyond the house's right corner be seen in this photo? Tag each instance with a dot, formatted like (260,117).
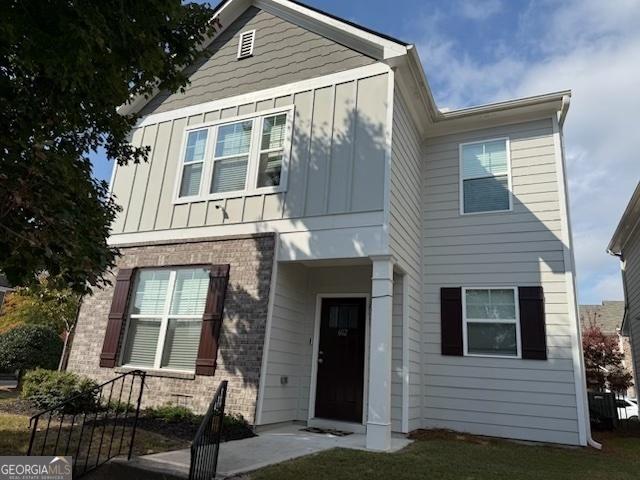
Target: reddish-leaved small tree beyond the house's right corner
(603,361)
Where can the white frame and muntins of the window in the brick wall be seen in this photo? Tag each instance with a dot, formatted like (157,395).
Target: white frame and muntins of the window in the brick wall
(164,318)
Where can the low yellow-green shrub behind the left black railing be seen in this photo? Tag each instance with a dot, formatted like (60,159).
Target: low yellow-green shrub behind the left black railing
(47,388)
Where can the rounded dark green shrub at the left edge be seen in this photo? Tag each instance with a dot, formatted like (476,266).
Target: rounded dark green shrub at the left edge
(30,346)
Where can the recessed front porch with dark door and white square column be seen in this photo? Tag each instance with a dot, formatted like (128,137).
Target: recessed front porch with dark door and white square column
(333,351)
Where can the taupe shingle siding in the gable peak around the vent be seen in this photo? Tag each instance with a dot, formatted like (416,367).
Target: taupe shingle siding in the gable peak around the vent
(283,53)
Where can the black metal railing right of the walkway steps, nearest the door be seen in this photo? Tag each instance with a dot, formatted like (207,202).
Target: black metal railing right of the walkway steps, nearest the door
(206,443)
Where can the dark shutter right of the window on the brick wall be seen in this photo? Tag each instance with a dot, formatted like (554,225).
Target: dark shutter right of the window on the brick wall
(212,320)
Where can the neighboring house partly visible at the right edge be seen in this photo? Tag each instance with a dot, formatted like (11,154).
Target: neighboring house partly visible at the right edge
(625,244)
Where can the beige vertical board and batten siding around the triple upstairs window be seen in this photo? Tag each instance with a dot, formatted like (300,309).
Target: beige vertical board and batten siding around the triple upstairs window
(336,163)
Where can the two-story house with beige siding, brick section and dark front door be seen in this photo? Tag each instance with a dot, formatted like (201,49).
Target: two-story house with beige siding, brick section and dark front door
(312,228)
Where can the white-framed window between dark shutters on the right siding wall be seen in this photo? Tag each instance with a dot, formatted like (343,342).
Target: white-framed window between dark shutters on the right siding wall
(491,324)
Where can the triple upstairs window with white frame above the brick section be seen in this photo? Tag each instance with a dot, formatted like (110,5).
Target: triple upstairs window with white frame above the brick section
(236,157)
